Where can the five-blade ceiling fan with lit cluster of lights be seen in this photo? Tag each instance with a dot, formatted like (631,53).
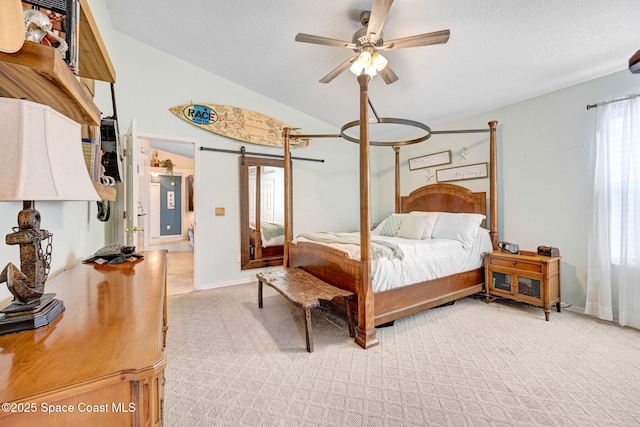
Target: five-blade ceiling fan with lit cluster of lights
(368,41)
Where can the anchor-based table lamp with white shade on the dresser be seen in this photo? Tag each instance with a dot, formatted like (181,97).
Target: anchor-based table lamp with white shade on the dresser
(42,160)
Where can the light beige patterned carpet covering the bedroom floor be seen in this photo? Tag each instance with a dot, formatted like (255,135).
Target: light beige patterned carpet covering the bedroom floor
(230,363)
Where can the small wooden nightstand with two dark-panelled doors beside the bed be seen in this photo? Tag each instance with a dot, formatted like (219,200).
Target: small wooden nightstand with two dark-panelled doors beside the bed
(526,277)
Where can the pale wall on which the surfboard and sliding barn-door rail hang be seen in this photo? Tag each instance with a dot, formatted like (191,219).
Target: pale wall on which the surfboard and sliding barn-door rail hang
(149,82)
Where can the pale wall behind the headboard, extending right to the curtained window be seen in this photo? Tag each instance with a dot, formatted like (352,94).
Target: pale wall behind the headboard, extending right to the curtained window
(544,170)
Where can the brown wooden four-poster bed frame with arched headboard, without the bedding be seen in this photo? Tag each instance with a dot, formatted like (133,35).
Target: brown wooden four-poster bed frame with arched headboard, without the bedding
(334,266)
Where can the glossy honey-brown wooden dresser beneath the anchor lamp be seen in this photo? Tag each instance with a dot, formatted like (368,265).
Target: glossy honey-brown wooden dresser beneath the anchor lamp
(101,362)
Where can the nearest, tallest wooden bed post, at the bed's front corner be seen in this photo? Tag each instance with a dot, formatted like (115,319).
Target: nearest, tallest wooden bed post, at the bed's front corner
(366,331)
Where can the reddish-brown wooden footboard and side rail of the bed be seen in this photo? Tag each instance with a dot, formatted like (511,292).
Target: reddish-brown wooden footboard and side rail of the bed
(334,267)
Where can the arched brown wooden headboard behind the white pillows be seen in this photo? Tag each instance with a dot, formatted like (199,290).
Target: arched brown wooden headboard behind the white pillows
(444,198)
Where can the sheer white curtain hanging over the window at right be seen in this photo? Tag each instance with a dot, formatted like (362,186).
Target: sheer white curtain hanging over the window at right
(614,234)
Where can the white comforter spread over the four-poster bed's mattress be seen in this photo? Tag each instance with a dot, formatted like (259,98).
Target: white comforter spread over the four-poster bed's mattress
(423,259)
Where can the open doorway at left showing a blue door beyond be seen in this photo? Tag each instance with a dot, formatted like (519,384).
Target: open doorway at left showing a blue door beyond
(165,204)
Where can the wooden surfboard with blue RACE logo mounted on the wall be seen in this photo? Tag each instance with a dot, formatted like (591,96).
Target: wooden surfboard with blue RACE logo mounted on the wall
(237,123)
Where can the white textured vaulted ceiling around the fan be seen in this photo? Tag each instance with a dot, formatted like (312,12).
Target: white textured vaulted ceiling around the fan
(499,52)
